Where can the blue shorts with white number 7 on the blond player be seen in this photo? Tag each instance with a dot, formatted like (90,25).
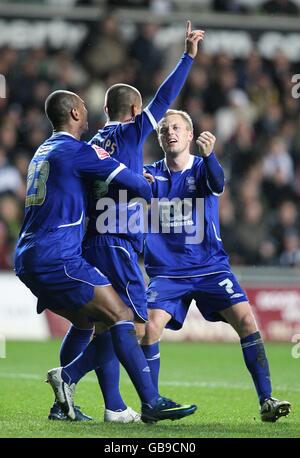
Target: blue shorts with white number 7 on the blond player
(212,294)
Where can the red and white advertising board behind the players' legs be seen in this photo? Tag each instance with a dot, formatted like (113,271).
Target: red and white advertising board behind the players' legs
(277,310)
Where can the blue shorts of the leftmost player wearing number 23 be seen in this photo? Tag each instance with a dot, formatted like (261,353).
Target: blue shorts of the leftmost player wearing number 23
(68,286)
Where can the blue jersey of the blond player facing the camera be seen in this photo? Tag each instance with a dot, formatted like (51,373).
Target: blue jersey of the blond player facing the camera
(183,238)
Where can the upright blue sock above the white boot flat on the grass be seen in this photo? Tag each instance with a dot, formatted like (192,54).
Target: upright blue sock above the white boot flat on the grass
(108,373)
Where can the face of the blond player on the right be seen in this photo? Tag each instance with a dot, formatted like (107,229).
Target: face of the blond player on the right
(174,135)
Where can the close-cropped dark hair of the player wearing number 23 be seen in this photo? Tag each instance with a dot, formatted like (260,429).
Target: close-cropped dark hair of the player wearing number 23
(58,107)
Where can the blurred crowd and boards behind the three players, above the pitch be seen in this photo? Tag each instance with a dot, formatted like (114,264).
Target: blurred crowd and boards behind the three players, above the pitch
(242,87)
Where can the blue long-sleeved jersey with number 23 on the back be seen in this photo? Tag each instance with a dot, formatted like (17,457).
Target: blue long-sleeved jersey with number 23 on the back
(56,200)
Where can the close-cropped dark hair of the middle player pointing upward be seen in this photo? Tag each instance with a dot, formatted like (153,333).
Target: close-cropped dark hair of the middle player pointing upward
(119,99)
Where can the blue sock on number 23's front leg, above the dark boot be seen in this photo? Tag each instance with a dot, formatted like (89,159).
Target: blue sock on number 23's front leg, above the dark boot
(132,358)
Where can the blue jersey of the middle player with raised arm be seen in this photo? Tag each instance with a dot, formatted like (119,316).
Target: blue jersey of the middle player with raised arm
(124,141)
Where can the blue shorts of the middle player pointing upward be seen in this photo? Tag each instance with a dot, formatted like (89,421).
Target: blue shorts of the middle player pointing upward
(117,259)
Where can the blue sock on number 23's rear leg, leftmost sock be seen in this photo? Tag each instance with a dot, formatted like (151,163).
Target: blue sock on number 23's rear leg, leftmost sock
(74,342)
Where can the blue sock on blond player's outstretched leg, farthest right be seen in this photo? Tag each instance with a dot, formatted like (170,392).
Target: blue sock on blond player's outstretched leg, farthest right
(257,364)
